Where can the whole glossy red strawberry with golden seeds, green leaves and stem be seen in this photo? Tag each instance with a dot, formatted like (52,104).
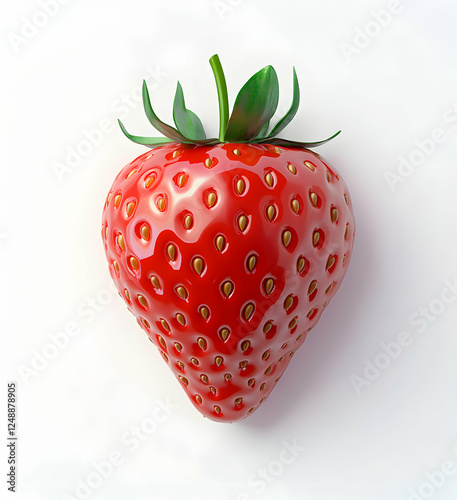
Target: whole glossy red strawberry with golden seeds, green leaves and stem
(228,250)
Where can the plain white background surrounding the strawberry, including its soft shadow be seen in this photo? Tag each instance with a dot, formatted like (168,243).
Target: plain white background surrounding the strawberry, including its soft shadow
(374,438)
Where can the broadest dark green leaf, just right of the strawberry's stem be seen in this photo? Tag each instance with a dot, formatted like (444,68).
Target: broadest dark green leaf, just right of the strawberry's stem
(254,106)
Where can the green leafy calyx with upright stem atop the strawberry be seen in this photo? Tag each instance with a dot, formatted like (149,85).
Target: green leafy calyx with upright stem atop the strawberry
(249,122)
